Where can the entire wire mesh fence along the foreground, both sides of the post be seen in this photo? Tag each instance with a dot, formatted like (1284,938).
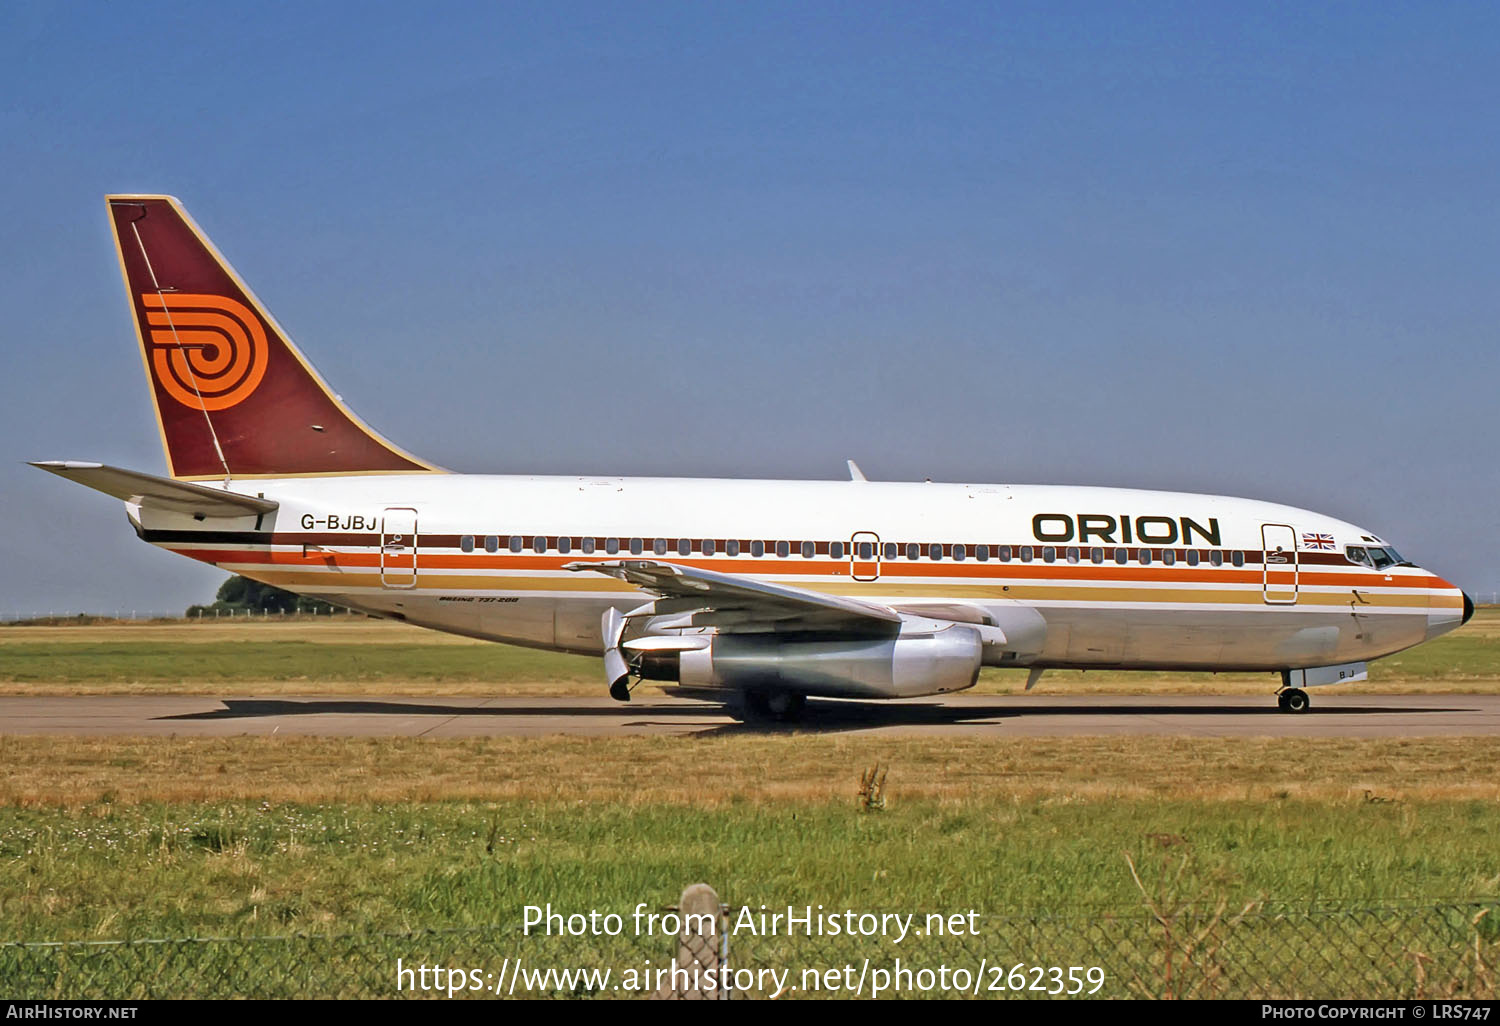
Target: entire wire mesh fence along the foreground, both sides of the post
(1256,952)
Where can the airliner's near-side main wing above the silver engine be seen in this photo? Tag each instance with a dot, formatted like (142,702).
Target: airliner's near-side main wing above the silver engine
(743,602)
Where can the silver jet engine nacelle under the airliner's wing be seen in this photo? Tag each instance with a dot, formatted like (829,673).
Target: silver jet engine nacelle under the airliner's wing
(902,667)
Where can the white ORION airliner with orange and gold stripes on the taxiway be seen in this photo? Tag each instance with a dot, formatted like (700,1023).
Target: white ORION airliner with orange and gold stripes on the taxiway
(773,590)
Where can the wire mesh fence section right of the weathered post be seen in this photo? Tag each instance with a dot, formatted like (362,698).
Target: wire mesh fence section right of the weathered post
(1217,952)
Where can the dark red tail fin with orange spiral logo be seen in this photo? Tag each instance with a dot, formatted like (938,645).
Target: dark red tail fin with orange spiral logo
(235,398)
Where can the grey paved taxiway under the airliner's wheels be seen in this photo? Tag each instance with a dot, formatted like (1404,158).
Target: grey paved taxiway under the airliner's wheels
(1343,716)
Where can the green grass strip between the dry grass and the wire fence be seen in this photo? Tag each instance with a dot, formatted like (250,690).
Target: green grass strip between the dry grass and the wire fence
(247,869)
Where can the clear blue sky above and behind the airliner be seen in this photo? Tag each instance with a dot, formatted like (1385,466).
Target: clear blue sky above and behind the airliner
(1223,248)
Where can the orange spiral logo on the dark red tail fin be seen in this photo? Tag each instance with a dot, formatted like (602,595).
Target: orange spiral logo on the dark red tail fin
(208,352)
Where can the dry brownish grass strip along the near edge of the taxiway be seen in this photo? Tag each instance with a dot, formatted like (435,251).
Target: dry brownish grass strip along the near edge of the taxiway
(730,772)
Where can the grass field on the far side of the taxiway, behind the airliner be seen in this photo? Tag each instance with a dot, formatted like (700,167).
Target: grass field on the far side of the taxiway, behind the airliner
(356,656)
